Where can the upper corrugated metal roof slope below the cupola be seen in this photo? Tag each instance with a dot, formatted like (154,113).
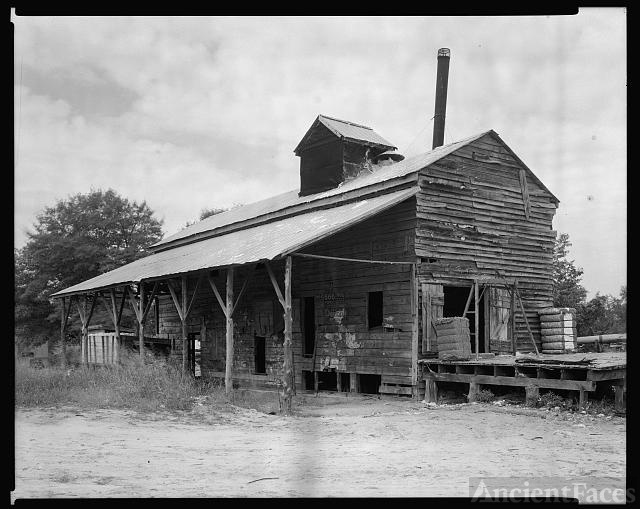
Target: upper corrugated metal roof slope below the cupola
(290,199)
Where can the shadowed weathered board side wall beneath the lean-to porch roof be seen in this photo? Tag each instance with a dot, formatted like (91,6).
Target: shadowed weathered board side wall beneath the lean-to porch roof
(344,341)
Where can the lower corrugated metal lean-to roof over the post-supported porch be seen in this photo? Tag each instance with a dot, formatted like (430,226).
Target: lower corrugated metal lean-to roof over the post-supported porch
(264,242)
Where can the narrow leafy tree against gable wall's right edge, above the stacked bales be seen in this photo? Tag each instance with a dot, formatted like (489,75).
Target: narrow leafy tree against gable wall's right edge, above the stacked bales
(567,290)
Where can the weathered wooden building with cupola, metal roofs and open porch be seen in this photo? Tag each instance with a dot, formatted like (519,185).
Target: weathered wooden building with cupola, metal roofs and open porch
(336,283)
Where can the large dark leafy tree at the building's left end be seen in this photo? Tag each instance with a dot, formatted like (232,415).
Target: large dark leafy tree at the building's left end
(75,240)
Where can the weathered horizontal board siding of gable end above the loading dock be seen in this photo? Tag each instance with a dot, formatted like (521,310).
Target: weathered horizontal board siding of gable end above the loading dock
(472,221)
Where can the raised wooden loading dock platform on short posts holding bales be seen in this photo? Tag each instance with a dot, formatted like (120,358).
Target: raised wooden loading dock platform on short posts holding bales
(575,372)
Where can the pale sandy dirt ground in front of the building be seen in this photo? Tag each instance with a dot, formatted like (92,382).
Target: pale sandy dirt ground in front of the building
(336,446)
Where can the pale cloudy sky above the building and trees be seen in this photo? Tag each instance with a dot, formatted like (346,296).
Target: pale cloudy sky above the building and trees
(193,113)
